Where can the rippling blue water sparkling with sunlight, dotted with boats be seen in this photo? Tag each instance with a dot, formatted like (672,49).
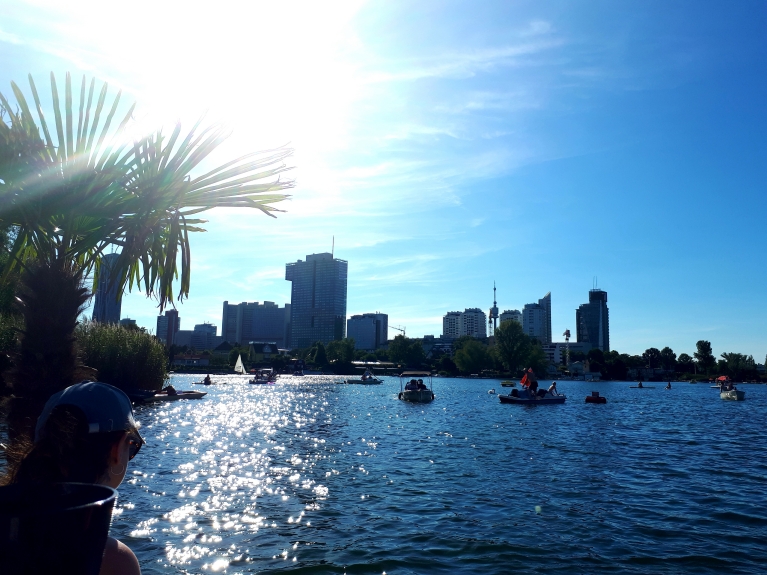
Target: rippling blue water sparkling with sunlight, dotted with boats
(310,477)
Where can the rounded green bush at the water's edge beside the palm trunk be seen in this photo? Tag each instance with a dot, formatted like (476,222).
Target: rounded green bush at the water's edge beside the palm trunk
(123,358)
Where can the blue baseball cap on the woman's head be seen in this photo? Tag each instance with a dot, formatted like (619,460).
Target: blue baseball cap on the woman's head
(106,407)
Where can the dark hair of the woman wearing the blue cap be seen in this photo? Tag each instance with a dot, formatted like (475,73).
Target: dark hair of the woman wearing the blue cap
(65,451)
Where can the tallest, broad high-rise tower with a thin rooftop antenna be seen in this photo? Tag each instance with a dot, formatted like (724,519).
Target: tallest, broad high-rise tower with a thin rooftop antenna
(317,299)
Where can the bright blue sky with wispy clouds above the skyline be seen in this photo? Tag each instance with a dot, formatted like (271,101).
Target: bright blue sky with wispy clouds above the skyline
(447,145)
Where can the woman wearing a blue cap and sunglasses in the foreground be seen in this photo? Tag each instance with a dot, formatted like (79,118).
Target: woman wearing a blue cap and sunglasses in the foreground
(86,433)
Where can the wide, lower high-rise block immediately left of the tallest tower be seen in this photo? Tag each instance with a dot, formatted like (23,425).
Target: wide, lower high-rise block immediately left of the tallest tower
(253,321)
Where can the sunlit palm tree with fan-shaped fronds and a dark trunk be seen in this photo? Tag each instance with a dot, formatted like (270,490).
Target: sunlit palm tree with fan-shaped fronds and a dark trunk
(71,195)
